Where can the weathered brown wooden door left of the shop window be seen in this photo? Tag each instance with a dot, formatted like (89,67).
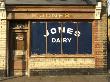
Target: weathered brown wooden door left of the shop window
(18,53)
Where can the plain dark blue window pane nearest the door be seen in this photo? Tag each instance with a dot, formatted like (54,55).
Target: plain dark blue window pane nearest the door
(38,40)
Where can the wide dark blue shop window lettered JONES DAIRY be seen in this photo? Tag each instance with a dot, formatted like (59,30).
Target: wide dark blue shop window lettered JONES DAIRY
(61,38)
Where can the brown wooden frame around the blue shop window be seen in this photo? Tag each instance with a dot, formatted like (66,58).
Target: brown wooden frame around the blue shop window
(66,55)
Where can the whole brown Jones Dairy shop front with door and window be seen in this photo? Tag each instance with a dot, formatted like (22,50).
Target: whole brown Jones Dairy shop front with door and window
(50,36)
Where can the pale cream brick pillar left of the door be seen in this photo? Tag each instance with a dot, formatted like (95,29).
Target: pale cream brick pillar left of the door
(3,32)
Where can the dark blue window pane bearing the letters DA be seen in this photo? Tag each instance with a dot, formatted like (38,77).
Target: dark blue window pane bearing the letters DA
(54,38)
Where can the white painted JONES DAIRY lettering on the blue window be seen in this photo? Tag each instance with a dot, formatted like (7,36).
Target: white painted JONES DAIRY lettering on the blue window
(65,30)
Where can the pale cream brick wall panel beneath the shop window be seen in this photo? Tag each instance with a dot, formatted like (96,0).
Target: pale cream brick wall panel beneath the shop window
(56,63)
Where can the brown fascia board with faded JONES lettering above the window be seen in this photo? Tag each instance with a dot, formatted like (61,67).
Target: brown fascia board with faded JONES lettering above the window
(51,15)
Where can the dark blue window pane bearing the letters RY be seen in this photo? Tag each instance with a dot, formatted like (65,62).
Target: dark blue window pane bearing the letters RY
(69,40)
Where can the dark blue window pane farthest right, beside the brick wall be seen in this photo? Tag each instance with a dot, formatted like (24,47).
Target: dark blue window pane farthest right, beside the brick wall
(85,39)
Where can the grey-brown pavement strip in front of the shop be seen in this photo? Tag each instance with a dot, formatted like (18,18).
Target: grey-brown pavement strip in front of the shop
(68,78)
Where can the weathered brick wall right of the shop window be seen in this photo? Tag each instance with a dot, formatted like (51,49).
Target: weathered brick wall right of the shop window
(100,39)
